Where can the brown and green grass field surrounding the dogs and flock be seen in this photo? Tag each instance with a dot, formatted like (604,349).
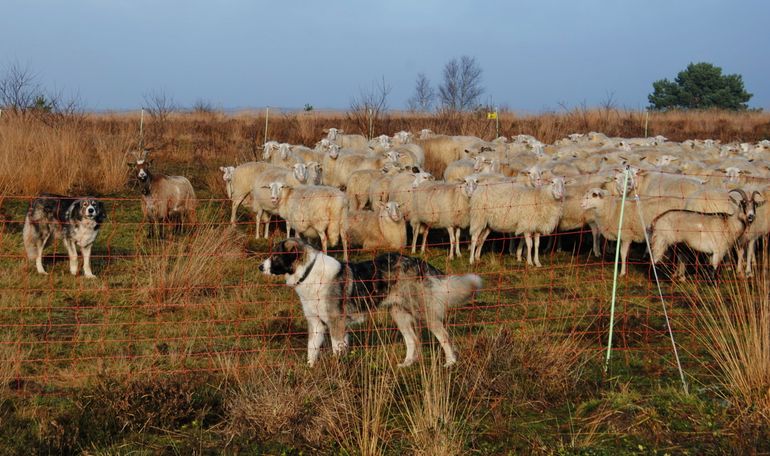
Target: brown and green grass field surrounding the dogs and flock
(180,346)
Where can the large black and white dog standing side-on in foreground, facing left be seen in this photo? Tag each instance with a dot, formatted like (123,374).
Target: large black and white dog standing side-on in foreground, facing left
(334,293)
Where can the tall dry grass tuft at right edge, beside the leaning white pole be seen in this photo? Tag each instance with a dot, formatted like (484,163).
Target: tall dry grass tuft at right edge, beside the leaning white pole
(733,325)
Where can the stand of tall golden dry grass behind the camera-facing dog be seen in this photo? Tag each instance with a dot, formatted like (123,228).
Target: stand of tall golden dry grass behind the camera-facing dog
(60,158)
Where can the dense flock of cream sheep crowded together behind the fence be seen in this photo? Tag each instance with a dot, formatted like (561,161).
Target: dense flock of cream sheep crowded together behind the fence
(362,192)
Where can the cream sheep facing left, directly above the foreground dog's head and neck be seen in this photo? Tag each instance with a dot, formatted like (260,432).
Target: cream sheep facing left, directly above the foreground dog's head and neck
(316,211)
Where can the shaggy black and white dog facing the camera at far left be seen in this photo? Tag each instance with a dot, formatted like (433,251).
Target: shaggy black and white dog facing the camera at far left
(75,221)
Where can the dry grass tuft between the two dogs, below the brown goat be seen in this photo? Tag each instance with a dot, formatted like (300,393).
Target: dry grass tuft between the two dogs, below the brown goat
(189,266)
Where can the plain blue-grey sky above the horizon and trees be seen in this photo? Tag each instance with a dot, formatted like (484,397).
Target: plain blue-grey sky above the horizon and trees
(536,54)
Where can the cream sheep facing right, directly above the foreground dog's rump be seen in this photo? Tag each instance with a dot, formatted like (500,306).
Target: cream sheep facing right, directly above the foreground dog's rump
(441,205)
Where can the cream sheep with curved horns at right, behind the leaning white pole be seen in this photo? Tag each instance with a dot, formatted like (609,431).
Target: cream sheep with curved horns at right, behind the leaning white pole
(714,233)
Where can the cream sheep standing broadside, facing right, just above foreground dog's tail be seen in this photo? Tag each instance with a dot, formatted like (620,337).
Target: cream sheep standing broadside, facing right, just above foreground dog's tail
(508,207)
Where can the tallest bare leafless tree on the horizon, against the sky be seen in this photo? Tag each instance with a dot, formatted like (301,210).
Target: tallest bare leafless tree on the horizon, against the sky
(461,87)
